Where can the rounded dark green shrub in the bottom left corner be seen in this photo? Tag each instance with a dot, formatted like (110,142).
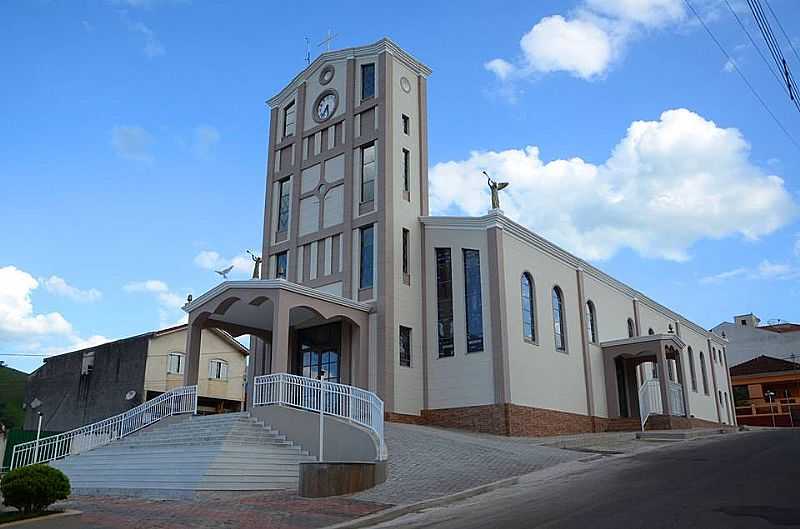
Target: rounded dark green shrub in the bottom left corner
(34,488)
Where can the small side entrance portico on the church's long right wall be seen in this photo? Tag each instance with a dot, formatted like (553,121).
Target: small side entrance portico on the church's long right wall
(629,380)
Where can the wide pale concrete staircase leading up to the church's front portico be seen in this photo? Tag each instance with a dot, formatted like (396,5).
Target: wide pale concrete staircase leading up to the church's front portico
(230,451)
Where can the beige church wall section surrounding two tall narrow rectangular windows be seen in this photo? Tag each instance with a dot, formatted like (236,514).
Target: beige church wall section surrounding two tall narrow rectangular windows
(465,379)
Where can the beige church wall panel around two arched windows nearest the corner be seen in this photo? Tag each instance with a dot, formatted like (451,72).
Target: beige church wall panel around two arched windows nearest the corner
(540,376)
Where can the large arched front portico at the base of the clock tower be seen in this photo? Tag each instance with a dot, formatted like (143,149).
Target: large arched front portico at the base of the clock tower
(294,329)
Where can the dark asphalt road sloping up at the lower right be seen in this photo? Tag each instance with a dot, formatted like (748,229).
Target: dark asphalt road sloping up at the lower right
(747,480)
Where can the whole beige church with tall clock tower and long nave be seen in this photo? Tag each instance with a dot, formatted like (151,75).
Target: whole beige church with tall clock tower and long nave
(466,322)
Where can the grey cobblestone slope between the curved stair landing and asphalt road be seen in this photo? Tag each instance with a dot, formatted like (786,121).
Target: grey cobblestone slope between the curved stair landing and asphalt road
(427,462)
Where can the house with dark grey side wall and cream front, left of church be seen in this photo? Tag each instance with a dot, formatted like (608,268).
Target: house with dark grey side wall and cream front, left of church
(84,386)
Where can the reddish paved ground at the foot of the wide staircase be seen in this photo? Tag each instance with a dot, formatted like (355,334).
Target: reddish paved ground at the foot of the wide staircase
(234,510)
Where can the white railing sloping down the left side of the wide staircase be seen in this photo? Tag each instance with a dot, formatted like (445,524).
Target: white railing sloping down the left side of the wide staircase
(174,402)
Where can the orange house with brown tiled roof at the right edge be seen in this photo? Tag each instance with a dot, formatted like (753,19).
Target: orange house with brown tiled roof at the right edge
(767,392)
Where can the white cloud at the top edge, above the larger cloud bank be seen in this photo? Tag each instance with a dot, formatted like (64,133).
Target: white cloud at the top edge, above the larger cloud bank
(587,41)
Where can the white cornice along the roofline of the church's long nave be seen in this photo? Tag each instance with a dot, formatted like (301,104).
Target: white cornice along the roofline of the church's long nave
(496,219)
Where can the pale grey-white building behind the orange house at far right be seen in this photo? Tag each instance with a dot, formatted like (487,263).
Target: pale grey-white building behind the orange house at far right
(748,339)
